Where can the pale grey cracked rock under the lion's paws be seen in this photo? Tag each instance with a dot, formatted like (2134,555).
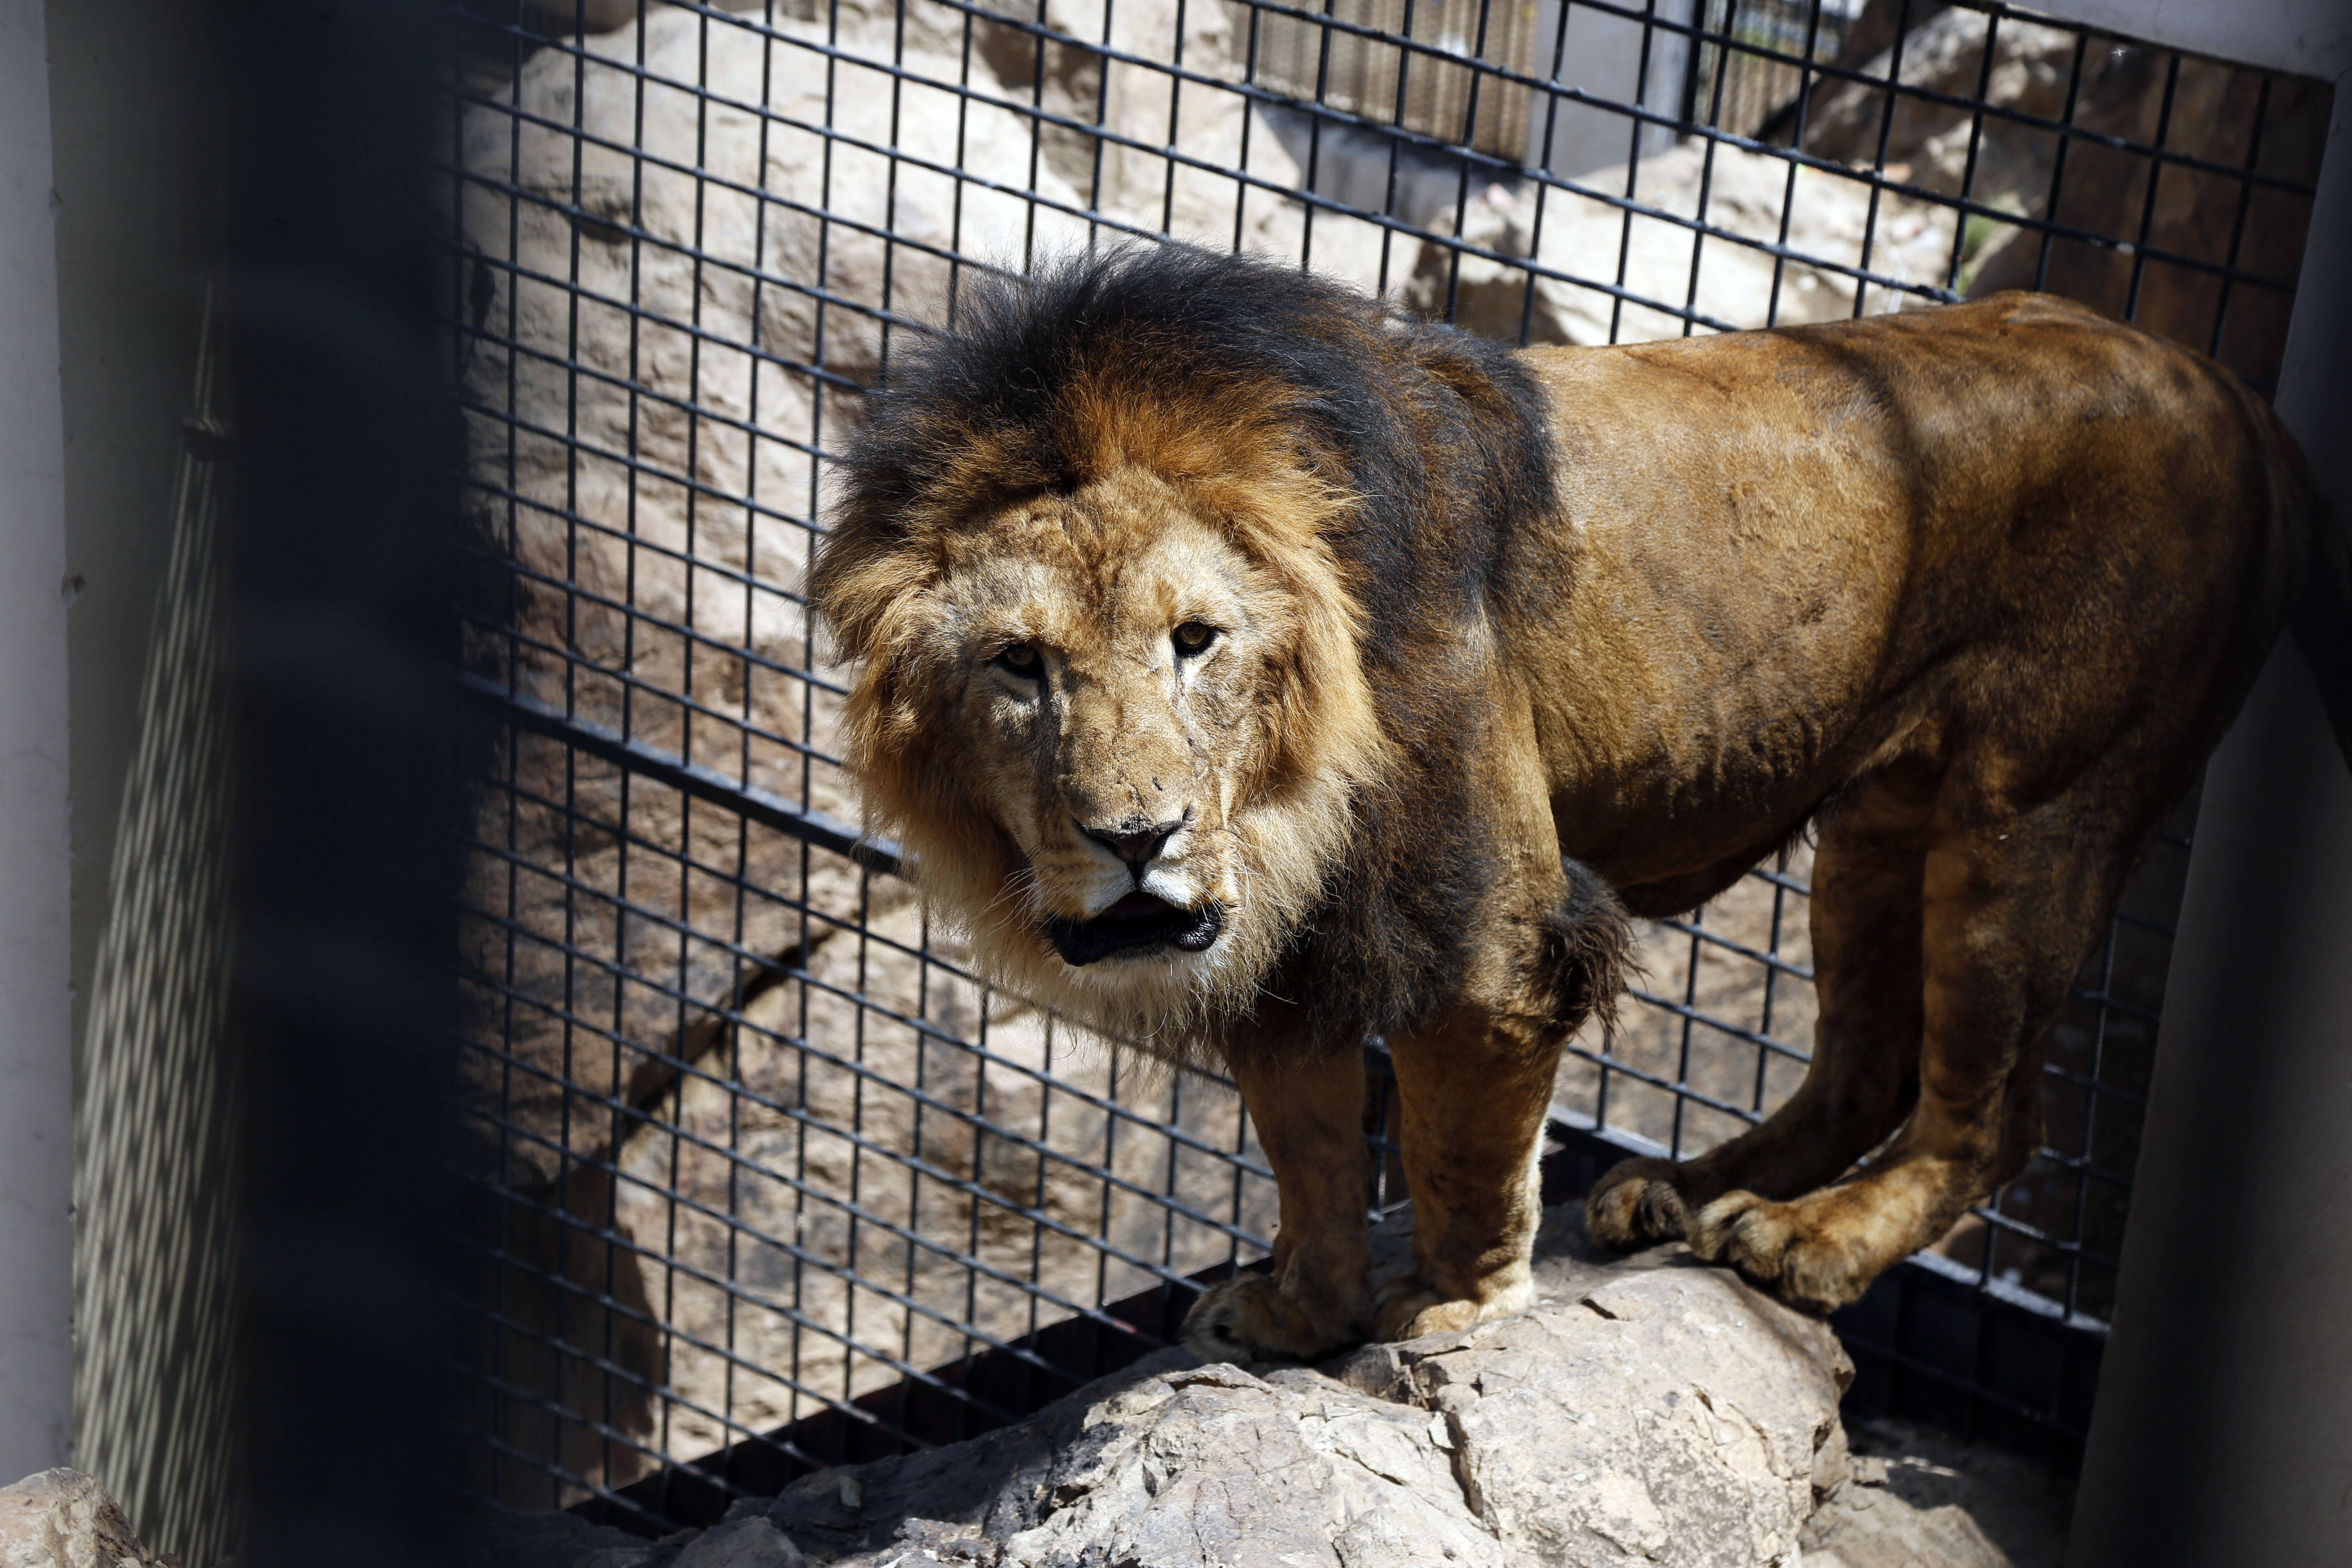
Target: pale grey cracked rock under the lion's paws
(1645,1412)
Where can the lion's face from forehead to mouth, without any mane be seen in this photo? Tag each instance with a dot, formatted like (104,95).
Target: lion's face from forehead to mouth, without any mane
(1116,655)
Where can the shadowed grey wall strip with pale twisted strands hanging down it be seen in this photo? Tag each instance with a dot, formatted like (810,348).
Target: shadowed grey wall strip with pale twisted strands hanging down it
(138,213)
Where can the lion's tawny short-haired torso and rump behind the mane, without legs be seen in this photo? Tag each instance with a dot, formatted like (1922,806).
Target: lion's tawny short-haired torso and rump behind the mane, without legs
(1793,544)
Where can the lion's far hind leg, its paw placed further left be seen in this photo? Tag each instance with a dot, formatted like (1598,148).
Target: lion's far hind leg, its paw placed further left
(1866,1043)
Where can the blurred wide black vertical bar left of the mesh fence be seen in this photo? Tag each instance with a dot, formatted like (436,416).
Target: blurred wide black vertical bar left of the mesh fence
(342,866)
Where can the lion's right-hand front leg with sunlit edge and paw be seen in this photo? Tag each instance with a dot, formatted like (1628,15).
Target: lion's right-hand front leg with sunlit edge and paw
(1476,1094)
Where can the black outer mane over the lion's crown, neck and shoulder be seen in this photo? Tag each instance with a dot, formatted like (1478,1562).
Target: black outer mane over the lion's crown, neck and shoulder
(1443,445)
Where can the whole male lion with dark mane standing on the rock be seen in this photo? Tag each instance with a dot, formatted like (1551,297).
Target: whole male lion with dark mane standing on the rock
(1252,671)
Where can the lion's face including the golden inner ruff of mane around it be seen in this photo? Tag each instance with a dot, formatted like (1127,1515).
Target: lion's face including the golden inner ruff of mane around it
(1111,730)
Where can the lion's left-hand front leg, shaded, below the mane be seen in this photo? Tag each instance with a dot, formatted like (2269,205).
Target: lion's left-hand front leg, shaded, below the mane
(1318,1299)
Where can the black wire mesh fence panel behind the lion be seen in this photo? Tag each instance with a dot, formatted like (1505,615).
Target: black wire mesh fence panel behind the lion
(766,1174)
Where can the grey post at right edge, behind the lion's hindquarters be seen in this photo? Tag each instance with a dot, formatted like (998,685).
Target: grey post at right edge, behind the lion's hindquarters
(2224,1428)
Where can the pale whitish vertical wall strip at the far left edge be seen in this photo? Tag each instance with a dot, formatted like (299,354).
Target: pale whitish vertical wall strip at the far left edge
(36,998)
